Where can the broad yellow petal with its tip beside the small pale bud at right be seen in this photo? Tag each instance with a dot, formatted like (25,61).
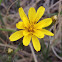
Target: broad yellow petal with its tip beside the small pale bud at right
(43,23)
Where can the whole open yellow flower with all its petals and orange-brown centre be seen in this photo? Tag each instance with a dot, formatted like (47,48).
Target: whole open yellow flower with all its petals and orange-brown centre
(31,28)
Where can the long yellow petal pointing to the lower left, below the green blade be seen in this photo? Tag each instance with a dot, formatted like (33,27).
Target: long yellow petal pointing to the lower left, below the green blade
(17,35)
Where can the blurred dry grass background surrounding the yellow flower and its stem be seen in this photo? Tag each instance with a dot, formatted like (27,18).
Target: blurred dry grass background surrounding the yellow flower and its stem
(51,47)
